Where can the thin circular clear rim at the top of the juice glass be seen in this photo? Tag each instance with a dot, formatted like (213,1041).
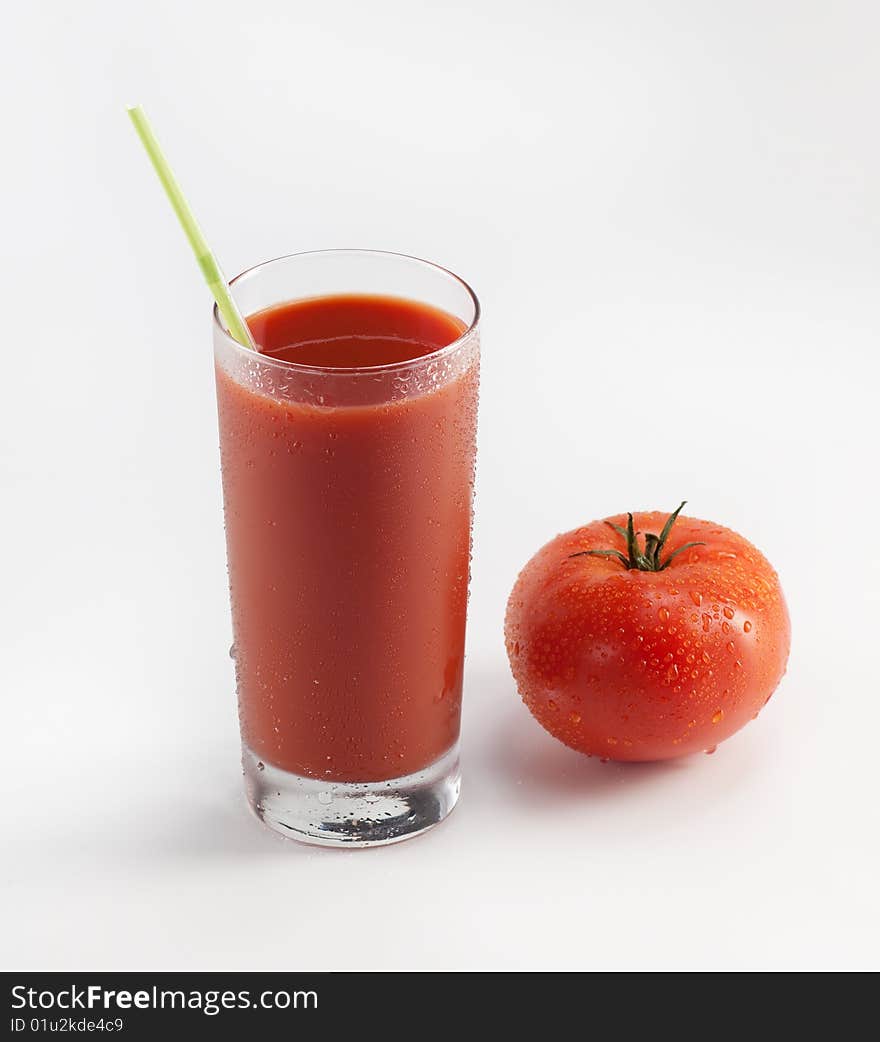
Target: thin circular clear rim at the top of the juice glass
(300,367)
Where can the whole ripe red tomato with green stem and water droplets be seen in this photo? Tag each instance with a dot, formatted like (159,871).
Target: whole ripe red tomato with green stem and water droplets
(651,648)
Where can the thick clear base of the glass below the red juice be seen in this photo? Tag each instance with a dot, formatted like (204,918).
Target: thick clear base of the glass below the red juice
(353,814)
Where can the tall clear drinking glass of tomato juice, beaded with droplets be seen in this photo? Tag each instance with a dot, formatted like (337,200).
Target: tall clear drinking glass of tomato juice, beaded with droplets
(348,502)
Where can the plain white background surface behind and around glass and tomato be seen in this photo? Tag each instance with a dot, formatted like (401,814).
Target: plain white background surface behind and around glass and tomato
(672,215)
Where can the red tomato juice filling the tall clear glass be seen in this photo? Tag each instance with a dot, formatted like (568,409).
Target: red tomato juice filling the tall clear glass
(348,534)
